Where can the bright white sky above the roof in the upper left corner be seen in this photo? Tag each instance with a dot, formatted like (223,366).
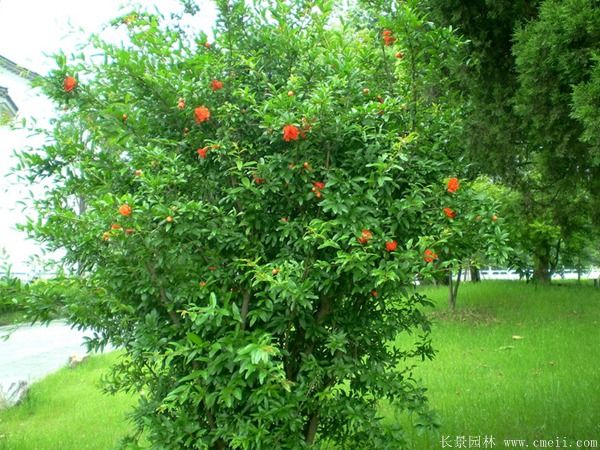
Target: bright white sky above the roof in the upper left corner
(31,28)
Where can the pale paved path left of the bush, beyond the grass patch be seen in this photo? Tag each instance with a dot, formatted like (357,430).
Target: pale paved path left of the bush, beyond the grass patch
(32,352)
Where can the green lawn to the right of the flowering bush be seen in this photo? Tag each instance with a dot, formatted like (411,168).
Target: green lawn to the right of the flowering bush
(483,382)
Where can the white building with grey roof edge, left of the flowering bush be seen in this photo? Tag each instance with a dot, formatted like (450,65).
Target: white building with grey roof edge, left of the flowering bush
(18,101)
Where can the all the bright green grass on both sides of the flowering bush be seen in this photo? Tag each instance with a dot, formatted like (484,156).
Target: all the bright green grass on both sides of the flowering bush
(516,362)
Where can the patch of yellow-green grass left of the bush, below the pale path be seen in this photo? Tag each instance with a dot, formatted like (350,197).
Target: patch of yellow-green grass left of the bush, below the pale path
(68,411)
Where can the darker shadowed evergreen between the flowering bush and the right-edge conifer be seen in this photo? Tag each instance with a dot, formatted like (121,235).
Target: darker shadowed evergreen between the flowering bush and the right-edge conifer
(492,136)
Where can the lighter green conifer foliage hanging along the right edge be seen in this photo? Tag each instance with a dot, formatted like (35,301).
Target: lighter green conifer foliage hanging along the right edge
(556,58)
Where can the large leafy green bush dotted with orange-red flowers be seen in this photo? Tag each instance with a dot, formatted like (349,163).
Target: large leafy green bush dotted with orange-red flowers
(248,215)
